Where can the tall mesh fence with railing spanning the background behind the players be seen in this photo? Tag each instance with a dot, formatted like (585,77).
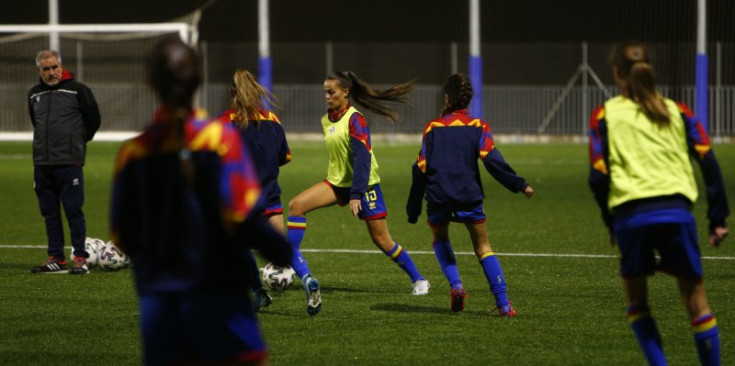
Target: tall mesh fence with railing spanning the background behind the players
(529,88)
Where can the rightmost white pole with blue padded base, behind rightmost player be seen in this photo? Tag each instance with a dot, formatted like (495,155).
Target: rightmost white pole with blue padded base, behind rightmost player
(701,103)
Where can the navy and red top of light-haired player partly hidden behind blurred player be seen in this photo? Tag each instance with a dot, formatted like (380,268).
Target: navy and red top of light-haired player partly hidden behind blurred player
(266,140)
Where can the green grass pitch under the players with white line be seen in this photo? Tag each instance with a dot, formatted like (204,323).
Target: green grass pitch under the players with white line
(570,308)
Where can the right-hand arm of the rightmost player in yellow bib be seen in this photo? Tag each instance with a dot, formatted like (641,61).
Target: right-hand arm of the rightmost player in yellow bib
(701,149)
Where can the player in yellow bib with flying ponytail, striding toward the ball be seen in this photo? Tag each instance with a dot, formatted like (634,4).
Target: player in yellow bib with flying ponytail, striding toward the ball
(352,176)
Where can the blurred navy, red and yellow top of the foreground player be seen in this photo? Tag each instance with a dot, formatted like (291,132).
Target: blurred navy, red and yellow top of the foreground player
(183,206)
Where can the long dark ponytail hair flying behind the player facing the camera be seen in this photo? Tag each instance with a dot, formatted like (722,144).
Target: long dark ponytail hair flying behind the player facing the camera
(373,100)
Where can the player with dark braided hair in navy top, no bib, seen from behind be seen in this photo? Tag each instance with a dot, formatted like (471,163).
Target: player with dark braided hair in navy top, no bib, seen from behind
(446,172)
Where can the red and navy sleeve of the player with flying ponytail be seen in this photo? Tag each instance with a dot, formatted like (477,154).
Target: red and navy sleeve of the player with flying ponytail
(361,152)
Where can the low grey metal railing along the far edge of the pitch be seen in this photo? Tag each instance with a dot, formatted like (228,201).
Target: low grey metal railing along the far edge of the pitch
(509,109)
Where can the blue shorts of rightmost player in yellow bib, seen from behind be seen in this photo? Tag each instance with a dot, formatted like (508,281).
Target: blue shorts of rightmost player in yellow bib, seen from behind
(672,234)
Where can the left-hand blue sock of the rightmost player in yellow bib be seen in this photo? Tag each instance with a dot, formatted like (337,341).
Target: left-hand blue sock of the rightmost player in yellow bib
(644,327)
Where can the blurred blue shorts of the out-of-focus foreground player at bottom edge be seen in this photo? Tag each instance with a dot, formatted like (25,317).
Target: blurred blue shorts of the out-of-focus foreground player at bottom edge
(199,327)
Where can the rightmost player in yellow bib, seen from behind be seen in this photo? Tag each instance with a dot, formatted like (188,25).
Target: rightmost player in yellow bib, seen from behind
(642,179)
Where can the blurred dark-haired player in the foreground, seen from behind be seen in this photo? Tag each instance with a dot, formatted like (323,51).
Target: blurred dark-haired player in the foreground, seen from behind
(182,206)
